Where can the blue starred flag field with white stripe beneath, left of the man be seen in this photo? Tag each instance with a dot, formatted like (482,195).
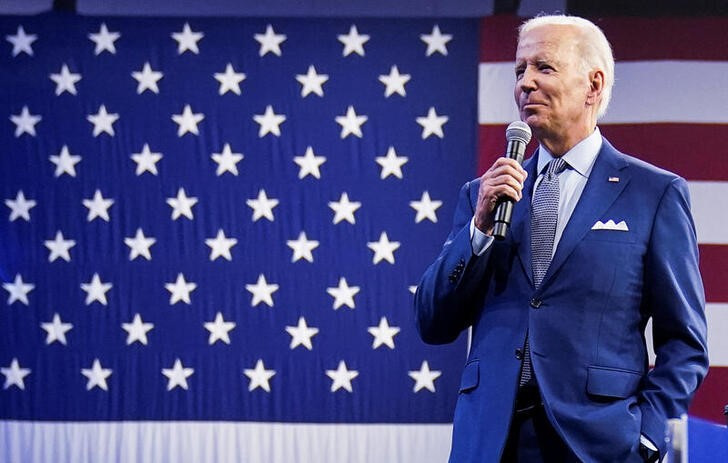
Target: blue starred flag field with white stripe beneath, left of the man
(222,220)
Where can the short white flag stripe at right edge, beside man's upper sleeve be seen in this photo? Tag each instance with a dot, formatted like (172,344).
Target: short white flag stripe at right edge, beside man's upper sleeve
(710,210)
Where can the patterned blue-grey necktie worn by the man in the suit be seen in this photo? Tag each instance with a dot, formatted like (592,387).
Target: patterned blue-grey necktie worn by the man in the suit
(544,215)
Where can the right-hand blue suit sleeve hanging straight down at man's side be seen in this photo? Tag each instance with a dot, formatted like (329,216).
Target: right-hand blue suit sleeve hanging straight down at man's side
(674,296)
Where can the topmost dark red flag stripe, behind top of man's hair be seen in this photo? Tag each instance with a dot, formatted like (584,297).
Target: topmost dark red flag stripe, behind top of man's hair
(631,38)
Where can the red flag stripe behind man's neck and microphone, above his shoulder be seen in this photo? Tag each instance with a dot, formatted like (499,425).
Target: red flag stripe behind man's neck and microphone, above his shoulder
(689,150)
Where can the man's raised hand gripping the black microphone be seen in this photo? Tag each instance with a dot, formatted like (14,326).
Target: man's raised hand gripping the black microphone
(504,179)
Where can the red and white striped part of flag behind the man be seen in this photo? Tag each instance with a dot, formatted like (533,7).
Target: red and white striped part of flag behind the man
(668,108)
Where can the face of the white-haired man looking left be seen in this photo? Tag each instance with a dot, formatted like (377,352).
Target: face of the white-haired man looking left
(551,86)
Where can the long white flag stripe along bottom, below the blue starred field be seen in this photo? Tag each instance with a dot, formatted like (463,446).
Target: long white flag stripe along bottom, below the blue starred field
(221,442)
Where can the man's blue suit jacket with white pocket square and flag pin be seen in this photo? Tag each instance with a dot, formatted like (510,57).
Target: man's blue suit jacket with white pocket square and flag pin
(586,322)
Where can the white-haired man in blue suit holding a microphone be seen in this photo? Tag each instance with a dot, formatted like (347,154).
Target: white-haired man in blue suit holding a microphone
(599,243)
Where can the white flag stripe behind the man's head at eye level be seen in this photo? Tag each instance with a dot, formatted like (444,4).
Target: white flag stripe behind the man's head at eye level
(645,92)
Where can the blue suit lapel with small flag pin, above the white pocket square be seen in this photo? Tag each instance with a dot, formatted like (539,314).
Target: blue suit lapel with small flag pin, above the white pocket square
(599,193)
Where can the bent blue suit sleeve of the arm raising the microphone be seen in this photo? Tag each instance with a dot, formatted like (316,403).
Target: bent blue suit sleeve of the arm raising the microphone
(447,299)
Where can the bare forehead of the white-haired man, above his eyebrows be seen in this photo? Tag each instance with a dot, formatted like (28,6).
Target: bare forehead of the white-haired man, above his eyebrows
(552,42)
